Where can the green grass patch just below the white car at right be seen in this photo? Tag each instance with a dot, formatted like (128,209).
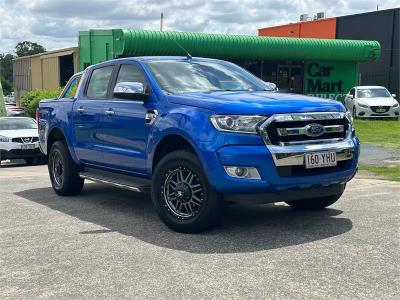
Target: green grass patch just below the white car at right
(384,133)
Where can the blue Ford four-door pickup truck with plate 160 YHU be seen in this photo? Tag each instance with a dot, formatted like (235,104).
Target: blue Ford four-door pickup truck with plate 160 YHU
(196,133)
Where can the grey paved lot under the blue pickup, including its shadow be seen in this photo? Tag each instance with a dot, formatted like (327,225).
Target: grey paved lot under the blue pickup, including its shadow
(108,243)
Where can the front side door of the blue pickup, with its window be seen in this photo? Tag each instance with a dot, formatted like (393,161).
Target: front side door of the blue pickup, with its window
(125,132)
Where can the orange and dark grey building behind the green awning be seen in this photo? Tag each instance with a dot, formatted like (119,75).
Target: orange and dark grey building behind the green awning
(382,26)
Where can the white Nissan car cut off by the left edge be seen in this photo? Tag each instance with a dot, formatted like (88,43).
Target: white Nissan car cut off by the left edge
(19,139)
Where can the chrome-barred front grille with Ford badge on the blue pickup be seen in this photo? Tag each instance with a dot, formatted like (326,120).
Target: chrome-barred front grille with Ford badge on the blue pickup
(300,129)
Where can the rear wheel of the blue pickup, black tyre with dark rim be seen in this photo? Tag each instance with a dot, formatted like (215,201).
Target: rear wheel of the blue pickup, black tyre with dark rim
(64,173)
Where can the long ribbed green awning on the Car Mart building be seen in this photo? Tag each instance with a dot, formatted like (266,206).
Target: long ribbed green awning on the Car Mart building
(130,42)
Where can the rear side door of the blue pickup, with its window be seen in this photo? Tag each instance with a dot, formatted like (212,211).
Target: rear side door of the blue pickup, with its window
(88,116)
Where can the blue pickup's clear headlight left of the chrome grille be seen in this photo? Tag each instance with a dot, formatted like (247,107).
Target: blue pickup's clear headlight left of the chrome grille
(235,123)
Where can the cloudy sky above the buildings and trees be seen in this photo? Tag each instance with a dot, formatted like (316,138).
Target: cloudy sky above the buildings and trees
(55,23)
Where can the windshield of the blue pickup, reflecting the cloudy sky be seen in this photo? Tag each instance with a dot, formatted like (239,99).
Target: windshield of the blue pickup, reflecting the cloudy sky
(203,76)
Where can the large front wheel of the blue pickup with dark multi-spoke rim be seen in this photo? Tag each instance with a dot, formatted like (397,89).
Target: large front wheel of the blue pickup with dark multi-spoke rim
(182,195)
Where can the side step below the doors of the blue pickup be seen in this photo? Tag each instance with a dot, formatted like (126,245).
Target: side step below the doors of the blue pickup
(119,180)
